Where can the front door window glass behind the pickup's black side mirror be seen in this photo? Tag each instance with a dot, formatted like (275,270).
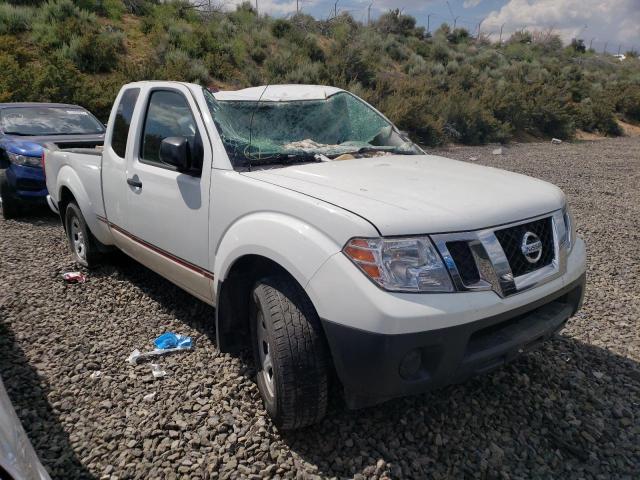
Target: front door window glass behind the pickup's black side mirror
(169,115)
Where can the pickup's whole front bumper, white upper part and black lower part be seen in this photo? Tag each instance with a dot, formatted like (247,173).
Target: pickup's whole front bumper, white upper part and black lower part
(386,345)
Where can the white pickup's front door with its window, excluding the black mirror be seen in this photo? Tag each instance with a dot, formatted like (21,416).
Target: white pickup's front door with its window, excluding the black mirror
(166,221)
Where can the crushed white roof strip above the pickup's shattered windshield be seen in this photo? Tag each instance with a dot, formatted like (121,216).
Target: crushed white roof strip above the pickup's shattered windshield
(278,93)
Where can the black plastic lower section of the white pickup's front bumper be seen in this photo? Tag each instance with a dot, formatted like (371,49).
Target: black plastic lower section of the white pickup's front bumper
(375,367)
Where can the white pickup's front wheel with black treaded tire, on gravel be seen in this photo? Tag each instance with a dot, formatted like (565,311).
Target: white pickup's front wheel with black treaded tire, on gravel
(290,353)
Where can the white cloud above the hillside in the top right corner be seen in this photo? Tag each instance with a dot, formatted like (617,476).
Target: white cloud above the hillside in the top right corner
(616,21)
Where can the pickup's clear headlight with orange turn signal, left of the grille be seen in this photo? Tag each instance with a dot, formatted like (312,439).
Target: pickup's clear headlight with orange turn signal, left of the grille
(410,264)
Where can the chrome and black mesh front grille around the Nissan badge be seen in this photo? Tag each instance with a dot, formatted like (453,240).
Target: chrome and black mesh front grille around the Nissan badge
(493,259)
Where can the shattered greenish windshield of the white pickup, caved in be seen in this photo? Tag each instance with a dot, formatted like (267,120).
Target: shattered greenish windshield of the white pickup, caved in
(338,127)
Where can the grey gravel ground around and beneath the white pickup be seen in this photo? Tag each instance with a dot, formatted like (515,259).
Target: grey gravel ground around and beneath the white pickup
(569,410)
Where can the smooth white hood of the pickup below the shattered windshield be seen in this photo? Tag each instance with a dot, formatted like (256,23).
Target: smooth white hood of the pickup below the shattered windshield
(405,195)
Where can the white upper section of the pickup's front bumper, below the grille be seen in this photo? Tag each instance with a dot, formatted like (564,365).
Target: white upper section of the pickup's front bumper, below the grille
(367,307)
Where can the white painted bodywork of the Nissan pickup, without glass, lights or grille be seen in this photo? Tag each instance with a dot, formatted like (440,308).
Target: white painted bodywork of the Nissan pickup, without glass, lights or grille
(301,217)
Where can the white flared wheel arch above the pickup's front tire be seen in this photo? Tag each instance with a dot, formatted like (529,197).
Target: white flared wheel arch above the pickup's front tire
(294,244)
